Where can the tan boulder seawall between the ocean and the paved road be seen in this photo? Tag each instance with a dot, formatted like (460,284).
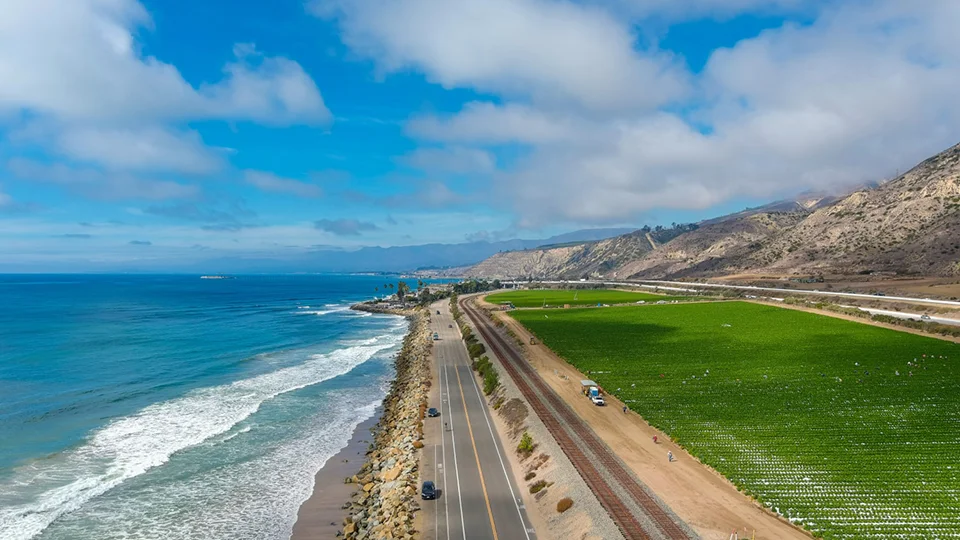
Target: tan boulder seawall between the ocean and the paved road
(386,500)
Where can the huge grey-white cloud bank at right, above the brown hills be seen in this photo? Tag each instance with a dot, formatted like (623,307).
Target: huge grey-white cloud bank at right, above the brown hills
(865,89)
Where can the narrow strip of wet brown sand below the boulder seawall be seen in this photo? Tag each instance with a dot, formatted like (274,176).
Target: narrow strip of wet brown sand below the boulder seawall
(321,516)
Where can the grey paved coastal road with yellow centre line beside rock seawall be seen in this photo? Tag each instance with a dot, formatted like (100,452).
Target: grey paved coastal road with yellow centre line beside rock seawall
(463,455)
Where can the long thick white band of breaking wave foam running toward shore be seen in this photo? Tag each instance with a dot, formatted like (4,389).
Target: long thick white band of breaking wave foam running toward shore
(43,491)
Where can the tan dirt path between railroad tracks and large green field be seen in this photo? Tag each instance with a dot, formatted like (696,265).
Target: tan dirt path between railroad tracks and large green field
(700,496)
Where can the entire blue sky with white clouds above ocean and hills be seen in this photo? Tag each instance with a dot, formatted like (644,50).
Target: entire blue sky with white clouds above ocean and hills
(171,130)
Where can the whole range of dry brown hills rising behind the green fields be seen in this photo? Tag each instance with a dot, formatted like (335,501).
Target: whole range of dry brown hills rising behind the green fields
(910,225)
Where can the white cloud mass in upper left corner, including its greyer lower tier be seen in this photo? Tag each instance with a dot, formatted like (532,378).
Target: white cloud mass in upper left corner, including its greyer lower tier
(77,72)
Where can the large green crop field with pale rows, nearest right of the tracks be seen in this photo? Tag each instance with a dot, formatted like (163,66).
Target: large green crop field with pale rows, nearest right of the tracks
(849,430)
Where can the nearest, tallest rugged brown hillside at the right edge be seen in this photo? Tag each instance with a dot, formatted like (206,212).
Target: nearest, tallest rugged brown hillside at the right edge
(908,225)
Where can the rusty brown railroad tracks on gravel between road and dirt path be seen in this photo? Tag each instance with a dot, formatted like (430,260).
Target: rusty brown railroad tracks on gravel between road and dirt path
(558,415)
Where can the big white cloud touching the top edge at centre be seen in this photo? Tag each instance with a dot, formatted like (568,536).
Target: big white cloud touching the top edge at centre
(555,52)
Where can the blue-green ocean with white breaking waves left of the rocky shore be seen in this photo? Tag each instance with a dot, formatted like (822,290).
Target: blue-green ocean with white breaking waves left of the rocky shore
(177,407)
